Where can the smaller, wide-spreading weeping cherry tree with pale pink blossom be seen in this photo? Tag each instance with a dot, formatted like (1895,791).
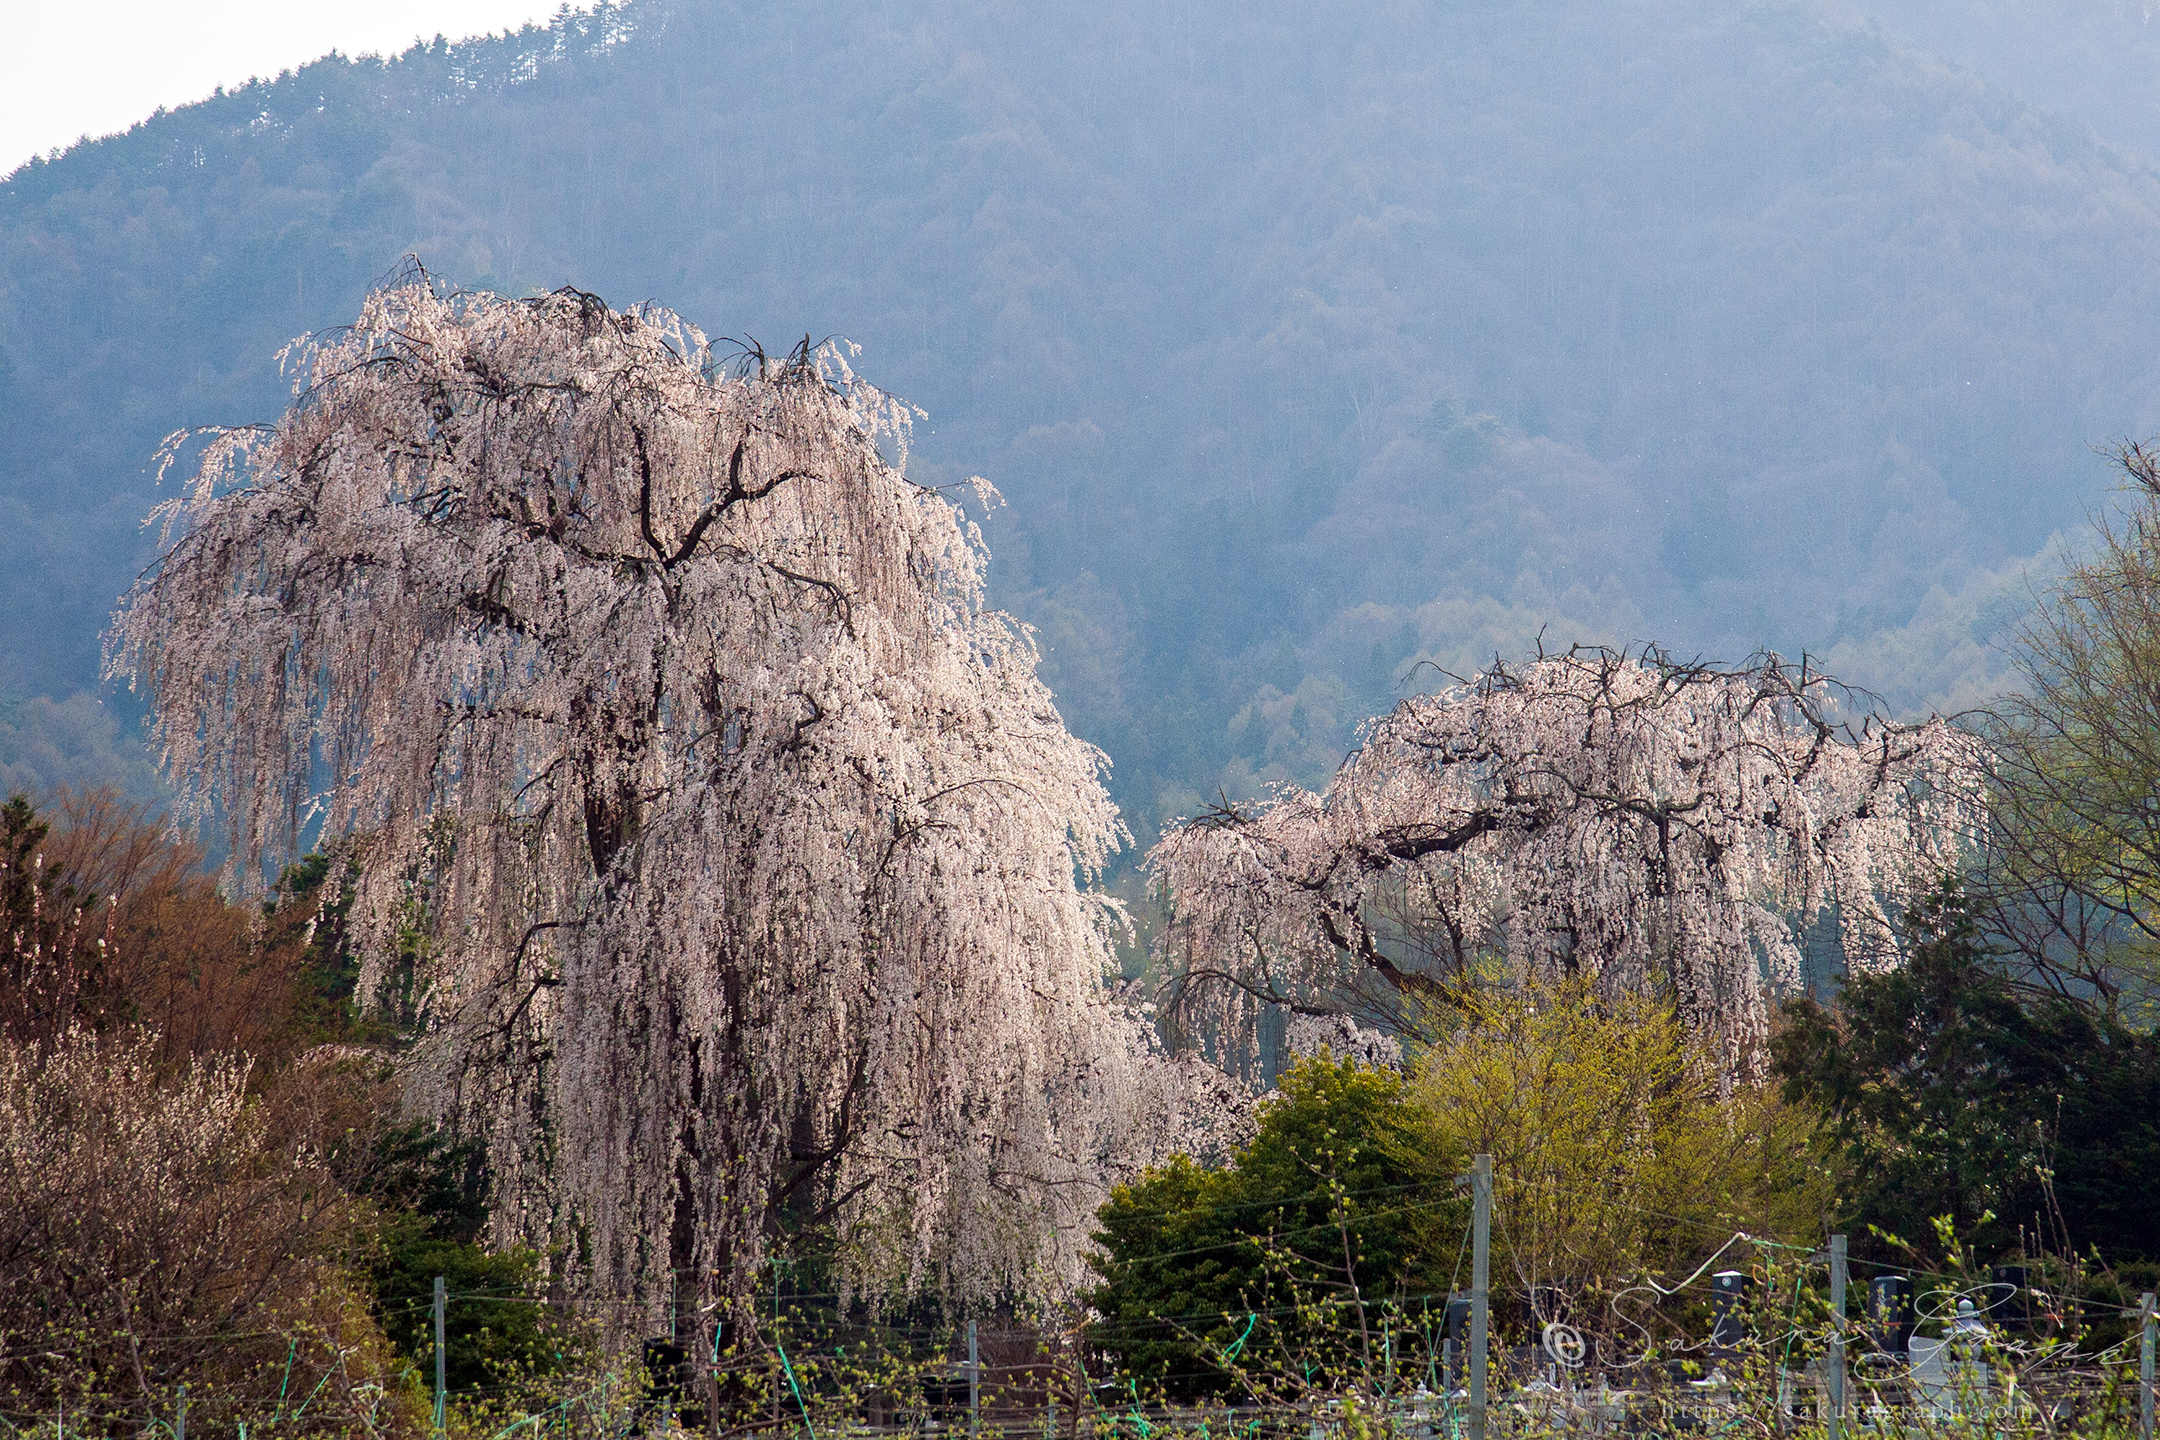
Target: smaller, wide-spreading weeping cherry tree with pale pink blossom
(1653,828)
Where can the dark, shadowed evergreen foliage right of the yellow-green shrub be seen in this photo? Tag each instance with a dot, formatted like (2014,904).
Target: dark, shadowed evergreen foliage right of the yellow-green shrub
(2029,1124)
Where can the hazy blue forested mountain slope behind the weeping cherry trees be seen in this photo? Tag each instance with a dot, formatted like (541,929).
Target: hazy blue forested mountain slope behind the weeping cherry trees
(1304,342)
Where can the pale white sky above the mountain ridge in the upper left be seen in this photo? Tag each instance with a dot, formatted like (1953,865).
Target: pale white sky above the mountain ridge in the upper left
(75,68)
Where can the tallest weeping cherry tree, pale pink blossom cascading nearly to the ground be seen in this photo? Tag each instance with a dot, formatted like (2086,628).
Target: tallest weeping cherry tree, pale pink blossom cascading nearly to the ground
(662,718)
